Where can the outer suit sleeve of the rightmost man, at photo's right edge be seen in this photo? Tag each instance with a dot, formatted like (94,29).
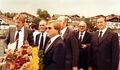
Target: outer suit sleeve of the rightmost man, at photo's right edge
(115,51)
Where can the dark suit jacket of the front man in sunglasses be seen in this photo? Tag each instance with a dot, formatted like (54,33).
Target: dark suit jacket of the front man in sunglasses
(54,57)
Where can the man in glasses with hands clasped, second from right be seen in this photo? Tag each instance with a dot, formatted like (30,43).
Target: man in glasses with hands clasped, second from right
(84,39)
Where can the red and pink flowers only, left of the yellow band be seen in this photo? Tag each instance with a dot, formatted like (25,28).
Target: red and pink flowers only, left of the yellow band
(17,58)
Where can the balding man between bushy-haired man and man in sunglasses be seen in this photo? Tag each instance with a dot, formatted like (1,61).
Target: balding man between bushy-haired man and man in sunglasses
(42,38)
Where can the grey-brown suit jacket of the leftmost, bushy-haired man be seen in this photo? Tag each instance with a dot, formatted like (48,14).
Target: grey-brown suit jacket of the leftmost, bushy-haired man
(28,35)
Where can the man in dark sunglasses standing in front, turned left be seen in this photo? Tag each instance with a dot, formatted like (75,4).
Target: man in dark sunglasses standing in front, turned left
(54,57)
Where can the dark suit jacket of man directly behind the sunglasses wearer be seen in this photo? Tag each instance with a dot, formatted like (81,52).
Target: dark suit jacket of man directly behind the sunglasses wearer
(72,49)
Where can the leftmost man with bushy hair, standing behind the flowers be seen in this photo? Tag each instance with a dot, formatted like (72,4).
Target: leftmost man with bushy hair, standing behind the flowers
(20,33)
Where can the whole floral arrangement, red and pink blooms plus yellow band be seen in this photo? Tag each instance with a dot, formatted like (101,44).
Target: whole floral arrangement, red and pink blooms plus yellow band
(25,58)
